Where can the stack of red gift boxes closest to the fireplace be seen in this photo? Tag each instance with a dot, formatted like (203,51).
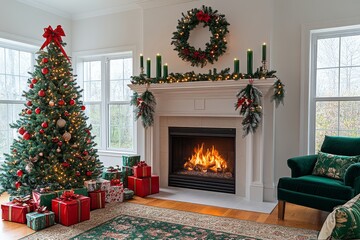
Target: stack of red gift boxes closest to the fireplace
(143,183)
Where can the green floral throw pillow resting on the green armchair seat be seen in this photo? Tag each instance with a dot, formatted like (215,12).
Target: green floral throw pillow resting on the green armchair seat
(333,166)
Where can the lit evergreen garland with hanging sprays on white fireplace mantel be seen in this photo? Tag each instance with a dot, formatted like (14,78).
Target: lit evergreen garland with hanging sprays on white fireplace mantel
(248,98)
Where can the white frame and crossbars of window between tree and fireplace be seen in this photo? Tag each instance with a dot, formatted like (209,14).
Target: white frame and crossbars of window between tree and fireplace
(104,57)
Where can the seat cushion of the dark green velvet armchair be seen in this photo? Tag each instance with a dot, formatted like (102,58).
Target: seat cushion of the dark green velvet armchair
(316,185)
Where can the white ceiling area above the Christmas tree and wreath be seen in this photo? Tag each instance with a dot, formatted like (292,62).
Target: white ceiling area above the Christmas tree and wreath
(79,9)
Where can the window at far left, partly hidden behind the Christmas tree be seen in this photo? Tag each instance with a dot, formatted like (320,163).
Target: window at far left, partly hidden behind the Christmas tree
(16,61)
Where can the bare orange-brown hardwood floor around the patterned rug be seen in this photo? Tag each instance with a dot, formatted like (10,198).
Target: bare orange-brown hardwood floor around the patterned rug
(295,216)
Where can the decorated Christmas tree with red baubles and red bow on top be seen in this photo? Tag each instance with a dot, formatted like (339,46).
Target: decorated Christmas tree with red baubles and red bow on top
(54,148)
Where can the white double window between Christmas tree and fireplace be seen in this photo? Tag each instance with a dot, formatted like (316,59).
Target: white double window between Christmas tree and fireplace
(107,100)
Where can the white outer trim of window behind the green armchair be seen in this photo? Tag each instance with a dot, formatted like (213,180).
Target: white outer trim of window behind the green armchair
(306,107)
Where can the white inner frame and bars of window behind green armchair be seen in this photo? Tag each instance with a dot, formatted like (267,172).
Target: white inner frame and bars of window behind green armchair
(316,35)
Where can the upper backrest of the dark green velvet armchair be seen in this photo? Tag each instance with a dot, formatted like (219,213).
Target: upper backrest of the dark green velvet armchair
(347,146)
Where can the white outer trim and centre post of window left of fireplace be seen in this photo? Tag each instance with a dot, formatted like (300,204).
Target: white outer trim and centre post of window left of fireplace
(109,53)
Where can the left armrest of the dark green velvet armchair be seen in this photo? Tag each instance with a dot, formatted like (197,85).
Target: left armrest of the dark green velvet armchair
(302,165)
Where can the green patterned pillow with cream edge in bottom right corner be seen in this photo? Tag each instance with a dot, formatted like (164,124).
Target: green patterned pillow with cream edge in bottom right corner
(343,222)
